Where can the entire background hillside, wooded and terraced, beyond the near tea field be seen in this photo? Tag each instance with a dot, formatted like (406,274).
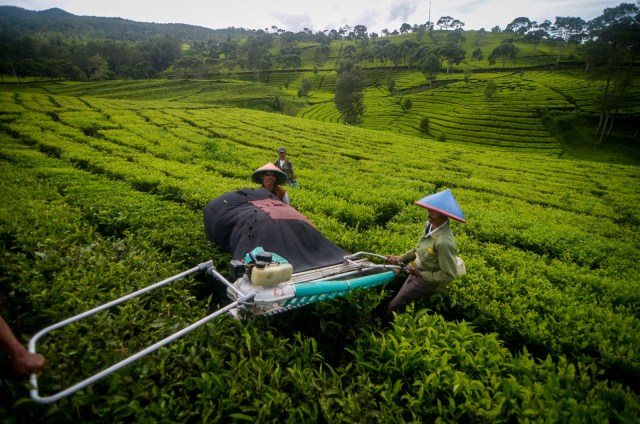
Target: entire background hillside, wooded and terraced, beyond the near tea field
(551,94)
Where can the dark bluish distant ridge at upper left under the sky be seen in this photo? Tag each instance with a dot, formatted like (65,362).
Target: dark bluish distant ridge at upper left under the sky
(16,21)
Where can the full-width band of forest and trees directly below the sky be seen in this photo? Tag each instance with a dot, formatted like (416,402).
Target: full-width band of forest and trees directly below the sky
(57,44)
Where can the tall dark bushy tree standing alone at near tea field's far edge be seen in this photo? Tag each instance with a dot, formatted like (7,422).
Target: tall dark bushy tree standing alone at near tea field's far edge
(349,95)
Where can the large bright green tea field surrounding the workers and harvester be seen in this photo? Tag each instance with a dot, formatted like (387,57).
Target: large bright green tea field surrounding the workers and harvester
(103,190)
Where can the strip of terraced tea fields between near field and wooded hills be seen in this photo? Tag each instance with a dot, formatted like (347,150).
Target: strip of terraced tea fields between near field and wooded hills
(545,112)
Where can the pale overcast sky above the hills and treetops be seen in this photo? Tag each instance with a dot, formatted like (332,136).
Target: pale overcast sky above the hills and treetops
(319,15)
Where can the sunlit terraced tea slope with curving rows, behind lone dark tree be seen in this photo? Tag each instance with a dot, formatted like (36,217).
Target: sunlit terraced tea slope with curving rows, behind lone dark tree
(459,111)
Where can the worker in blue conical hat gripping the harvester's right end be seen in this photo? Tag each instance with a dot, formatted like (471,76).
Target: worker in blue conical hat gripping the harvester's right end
(434,254)
